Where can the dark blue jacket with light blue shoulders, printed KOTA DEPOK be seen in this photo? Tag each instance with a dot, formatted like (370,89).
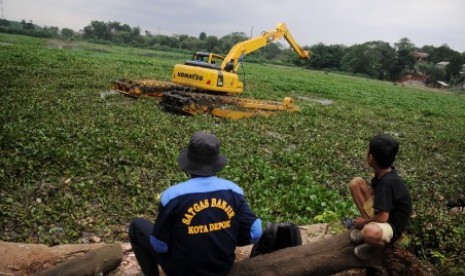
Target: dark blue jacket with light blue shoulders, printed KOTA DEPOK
(202,220)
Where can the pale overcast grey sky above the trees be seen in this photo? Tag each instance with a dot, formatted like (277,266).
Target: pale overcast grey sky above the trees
(347,22)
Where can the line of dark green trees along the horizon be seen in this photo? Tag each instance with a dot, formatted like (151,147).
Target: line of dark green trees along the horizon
(374,59)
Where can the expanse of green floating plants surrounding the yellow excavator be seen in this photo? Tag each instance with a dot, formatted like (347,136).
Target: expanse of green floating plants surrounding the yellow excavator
(74,162)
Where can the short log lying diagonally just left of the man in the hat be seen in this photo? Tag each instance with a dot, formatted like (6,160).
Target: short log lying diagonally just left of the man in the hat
(102,260)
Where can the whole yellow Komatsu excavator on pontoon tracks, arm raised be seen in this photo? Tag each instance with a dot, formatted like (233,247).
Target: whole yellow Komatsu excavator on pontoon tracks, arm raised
(209,83)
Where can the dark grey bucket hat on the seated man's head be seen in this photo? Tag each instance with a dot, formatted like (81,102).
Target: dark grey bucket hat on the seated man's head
(202,156)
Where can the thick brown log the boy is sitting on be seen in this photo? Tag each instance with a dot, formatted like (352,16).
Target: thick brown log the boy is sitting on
(327,257)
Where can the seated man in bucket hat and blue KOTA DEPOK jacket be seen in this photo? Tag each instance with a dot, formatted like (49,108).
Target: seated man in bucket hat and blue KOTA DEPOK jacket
(200,221)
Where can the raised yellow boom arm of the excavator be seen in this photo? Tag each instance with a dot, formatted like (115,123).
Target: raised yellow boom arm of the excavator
(238,51)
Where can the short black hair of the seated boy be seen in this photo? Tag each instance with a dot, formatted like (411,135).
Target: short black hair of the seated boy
(383,148)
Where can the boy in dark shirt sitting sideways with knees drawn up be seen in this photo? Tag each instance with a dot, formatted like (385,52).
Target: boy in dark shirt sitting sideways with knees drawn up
(385,205)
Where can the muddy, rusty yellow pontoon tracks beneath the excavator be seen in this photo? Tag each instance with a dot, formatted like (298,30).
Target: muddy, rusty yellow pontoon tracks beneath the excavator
(186,100)
